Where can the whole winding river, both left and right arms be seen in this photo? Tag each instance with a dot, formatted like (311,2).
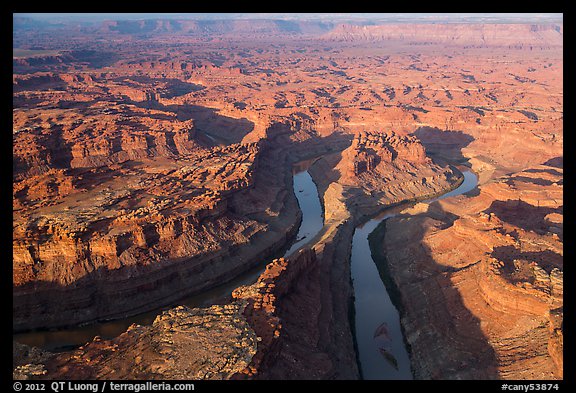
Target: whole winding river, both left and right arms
(381,350)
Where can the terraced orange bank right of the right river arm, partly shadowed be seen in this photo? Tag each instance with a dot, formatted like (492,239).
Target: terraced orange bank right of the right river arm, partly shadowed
(481,287)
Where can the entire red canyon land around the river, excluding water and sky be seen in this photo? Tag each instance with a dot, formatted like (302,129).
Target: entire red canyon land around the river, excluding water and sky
(146,170)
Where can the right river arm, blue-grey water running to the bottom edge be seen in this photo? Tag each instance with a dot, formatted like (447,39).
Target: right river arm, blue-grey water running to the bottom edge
(380,342)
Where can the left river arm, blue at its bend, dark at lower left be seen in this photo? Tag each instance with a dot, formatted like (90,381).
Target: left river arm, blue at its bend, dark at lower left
(68,338)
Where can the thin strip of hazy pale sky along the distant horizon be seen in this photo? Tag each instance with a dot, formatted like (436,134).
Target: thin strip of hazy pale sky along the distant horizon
(327,17)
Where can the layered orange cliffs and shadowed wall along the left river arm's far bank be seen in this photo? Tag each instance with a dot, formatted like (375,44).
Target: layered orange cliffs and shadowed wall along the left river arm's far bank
(166,230)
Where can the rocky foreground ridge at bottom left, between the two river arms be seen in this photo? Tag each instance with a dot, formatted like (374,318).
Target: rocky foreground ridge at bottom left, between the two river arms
(249,337)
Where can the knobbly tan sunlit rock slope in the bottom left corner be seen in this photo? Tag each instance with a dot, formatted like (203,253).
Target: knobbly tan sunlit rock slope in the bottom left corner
(182,343)
